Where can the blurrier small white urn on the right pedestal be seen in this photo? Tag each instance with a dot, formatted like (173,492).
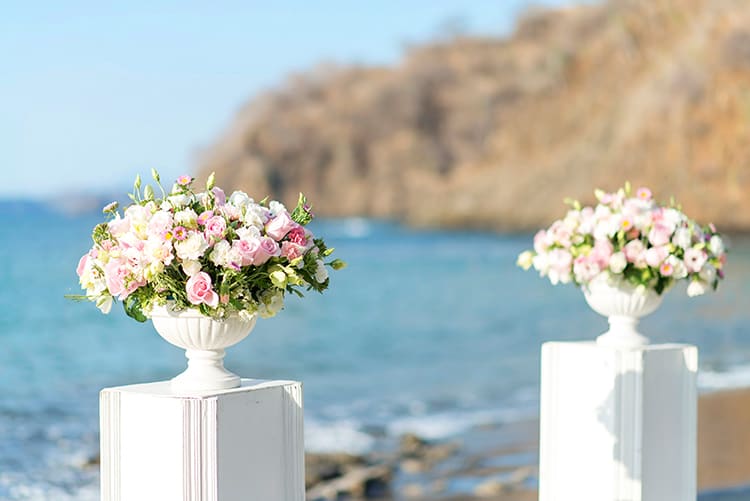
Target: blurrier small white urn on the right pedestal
(623,304)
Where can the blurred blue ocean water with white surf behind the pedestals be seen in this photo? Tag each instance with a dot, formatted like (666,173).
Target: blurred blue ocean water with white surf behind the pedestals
(426,331)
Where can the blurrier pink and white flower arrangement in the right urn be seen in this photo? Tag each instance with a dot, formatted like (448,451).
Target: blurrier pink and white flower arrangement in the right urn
(628,237)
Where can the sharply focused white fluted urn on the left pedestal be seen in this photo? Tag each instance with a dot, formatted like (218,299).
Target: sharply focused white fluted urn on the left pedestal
(204,340)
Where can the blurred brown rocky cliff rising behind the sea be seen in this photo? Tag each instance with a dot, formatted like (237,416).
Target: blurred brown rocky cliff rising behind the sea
(493,133)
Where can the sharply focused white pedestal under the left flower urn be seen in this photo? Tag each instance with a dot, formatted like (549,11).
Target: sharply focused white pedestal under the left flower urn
(227,445)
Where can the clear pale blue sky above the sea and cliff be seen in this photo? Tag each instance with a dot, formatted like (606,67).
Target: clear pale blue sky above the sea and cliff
(92,93)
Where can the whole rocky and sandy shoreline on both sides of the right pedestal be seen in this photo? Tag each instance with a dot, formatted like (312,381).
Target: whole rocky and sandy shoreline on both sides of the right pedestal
(499,462)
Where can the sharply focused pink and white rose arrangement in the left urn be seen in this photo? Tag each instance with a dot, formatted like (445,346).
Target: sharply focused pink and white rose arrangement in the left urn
(220,255)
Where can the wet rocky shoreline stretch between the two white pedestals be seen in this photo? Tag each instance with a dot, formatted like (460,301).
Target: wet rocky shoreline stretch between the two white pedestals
(496,460)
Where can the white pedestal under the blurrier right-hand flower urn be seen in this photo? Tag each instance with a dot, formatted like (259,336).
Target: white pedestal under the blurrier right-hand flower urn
(618,425)
